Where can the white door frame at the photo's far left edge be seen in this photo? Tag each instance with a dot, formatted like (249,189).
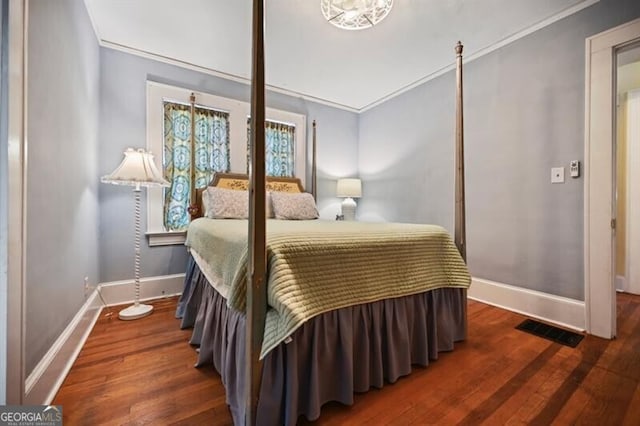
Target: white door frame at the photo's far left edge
(16,173)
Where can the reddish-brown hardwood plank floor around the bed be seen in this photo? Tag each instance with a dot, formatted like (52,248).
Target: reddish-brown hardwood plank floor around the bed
(141,372)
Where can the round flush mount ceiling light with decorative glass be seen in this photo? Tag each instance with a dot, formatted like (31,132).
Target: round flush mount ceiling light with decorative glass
(355,14)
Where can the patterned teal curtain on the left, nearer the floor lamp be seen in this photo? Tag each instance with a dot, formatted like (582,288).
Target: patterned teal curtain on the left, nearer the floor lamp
(211,155)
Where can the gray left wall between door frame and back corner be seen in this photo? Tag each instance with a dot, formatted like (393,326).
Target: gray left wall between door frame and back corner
(62,174)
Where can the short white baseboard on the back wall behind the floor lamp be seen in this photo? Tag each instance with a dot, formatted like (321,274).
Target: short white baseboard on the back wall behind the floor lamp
(122,292)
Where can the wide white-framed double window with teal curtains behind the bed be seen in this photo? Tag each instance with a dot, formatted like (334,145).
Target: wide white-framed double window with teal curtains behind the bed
(220,138)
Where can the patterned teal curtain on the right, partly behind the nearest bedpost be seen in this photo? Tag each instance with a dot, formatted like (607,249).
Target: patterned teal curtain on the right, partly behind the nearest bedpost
(279,147)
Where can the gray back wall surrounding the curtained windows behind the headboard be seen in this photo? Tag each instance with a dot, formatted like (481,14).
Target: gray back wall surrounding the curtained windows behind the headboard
(123,124)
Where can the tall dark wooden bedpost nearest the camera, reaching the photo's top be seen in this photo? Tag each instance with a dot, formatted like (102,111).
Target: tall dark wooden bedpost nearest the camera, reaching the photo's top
(256,285)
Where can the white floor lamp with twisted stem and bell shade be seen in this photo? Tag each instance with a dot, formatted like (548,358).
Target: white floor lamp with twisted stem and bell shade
(137,170)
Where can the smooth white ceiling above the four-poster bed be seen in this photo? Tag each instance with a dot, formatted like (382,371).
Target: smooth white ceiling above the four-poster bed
(306,56)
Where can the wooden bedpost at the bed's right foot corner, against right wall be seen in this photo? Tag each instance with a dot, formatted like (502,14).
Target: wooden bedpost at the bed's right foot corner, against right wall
(459,231)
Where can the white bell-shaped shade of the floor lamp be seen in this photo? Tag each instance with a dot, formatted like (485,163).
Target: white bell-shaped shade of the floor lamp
(137,169)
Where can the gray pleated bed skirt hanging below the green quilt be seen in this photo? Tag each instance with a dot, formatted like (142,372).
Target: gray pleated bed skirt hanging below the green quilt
(330,357)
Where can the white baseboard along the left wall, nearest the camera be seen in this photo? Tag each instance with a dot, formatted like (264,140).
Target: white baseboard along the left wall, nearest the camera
(46,378)
